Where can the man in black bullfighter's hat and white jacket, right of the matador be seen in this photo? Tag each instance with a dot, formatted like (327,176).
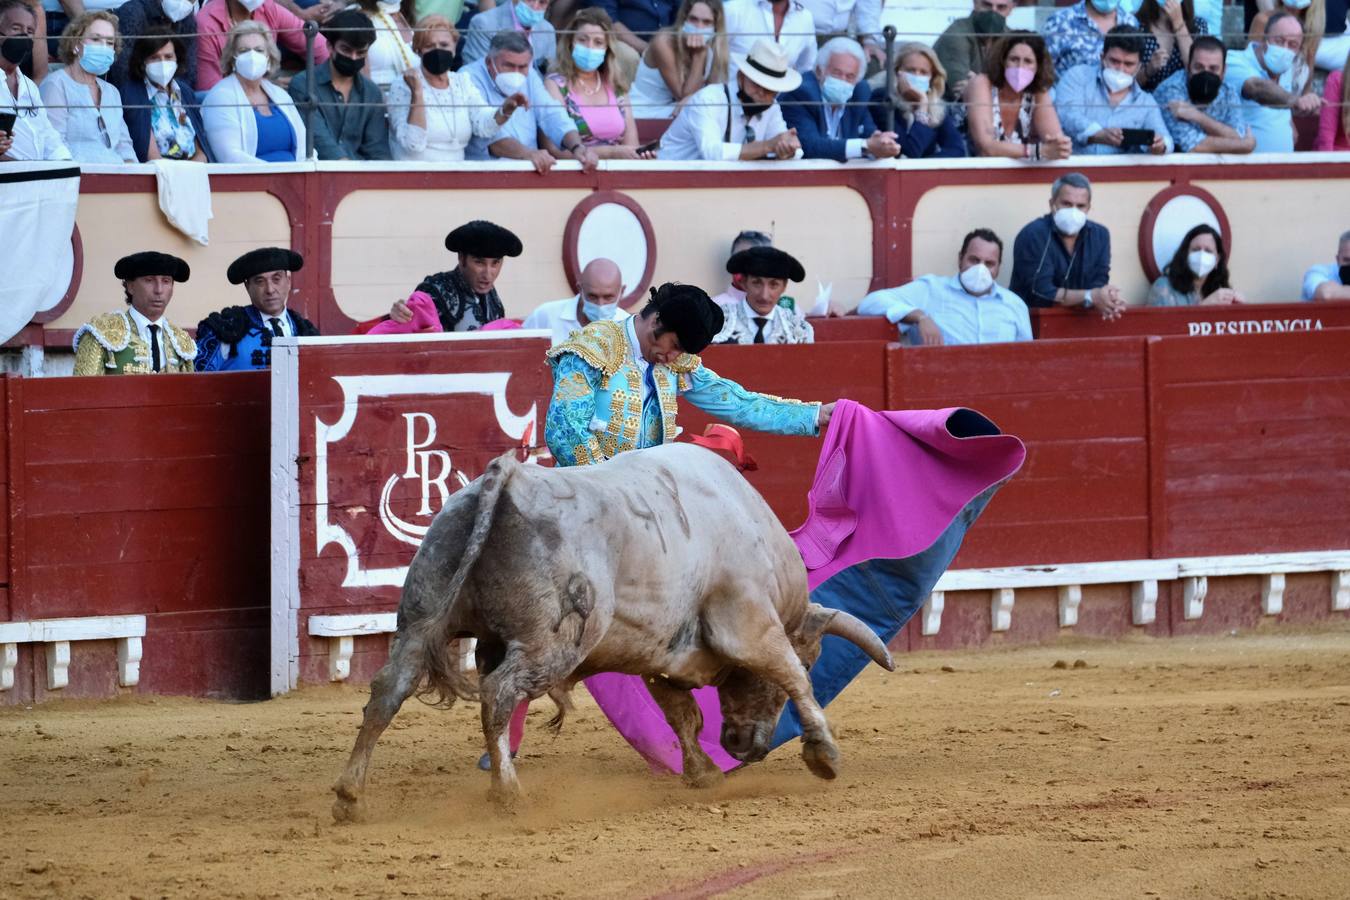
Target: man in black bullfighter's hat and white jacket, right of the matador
(759,319)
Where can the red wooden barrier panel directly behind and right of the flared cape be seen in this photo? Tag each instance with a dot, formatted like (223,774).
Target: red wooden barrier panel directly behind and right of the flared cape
(1081,408)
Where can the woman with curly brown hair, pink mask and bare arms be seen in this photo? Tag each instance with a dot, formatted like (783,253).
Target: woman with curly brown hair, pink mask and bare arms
(1009,111)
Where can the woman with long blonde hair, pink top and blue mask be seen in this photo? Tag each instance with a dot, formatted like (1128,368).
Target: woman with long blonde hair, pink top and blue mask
(591,84)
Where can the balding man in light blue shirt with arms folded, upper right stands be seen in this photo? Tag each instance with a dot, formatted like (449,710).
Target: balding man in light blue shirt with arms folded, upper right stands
(1272,91)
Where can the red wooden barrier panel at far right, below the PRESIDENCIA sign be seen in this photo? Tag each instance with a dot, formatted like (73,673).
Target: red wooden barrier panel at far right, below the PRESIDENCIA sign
(1251,443)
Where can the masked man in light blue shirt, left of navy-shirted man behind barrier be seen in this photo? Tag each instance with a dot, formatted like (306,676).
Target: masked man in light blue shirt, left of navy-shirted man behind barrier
(970,308)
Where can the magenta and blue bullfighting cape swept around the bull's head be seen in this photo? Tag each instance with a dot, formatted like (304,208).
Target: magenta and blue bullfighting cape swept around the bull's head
(893,497)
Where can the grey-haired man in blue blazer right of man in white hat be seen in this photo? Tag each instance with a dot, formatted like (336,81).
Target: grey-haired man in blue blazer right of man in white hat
(831,110)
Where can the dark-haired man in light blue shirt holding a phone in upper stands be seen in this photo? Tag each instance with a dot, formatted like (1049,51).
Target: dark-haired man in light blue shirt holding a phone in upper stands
(1105,110)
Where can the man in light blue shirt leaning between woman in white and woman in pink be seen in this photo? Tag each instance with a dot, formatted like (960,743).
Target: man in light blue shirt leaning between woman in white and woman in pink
(504,72)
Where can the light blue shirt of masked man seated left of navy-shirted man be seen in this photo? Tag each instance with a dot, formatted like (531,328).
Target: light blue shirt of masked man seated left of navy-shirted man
(963,318)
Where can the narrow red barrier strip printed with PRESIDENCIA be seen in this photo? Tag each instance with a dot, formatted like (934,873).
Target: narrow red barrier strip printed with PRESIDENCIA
(1194,322)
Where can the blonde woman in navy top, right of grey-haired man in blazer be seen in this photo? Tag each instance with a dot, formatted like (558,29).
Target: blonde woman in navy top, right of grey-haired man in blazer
(921,121)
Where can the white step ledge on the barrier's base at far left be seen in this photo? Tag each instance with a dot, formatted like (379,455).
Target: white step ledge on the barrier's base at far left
(59,635)
